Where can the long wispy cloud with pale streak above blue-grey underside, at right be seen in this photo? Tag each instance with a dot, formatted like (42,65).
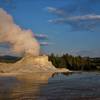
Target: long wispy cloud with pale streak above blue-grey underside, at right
(84,22)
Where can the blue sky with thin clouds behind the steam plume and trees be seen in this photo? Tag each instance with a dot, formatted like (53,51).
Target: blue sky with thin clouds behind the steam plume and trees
(71,26)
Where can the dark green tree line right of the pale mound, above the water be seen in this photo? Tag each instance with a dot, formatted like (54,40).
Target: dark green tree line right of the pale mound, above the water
(75,62)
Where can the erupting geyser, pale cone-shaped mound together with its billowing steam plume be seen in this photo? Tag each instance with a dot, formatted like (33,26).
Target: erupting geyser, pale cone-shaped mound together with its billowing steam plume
(22,41)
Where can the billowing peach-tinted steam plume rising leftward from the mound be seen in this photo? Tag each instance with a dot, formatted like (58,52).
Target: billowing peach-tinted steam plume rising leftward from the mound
(21,41)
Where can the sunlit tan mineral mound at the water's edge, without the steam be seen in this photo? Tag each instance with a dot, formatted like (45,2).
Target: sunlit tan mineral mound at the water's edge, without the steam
(28,64)
